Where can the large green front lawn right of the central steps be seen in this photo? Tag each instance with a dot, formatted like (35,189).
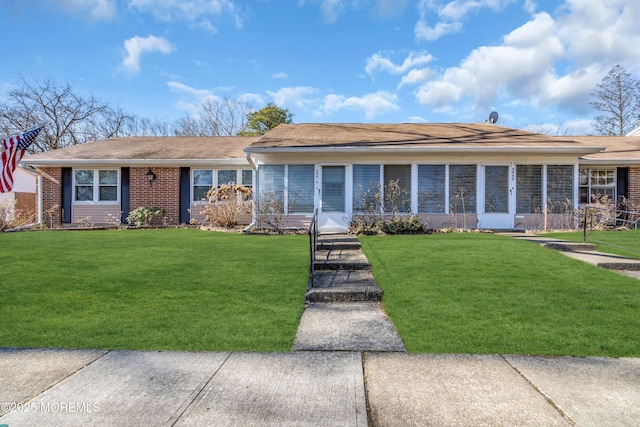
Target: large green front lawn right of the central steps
(481,293)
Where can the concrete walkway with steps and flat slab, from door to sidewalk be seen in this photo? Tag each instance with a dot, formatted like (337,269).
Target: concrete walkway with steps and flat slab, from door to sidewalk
(343,310)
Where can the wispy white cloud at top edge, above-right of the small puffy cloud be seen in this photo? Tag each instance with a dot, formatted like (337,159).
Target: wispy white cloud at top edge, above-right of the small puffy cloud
(189,10)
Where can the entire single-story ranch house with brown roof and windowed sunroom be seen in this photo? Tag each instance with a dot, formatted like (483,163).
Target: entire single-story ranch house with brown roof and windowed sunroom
(451,175)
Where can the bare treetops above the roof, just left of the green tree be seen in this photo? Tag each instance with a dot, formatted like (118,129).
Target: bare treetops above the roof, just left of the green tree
(215,118)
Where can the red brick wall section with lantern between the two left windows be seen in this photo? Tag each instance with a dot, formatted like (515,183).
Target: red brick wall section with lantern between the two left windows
(164,192)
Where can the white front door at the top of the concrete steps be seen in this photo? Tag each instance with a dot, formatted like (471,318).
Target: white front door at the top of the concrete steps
(332,199)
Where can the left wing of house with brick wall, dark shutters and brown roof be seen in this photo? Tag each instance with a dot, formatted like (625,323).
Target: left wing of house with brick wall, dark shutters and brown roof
(101,182)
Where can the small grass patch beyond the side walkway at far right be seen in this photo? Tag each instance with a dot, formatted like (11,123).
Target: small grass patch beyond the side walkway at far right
(619,242)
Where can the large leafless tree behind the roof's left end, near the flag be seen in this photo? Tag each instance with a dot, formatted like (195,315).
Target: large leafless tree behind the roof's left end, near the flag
(69,117)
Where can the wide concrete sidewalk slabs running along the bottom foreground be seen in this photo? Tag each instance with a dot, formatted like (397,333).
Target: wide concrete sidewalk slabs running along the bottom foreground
(118,388)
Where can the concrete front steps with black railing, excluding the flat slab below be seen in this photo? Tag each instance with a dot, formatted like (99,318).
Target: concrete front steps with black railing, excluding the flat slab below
(342,272)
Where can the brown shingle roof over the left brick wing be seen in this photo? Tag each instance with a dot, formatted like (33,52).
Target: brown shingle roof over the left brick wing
(138,149)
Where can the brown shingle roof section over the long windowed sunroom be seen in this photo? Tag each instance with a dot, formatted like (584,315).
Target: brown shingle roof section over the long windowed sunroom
(410,135)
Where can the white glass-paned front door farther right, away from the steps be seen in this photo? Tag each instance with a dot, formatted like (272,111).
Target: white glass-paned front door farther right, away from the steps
(497,205)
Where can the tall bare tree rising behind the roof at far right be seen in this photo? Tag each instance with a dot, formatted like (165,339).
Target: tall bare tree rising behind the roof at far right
(618,98)
